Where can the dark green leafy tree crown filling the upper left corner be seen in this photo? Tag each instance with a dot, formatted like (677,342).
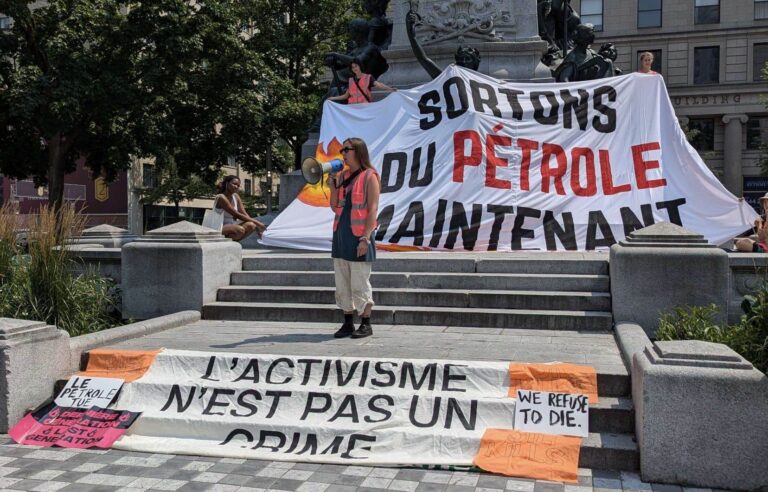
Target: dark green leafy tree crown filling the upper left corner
(106,80)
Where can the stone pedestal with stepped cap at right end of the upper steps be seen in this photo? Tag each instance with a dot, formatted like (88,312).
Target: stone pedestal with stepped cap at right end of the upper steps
(662,267)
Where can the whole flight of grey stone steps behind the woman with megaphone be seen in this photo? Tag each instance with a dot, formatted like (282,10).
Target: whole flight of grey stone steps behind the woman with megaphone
(534,293)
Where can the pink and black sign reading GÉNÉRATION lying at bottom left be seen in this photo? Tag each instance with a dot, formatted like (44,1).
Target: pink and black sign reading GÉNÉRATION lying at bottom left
(72,427)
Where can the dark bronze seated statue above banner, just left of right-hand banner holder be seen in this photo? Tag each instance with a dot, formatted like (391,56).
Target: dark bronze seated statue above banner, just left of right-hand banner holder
(582,62)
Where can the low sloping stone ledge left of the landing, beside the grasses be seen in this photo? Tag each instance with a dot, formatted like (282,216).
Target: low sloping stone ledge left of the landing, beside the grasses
(83,343)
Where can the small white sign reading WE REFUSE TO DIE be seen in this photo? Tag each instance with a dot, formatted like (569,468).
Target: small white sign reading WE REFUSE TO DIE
(552,413)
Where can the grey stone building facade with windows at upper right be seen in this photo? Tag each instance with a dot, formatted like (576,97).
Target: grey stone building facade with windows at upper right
(711,54)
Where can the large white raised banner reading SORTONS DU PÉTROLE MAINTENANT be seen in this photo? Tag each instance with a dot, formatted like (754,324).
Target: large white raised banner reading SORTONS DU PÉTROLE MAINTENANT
(469,162)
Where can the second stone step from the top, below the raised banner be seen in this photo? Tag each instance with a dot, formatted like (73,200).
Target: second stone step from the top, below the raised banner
(471,281)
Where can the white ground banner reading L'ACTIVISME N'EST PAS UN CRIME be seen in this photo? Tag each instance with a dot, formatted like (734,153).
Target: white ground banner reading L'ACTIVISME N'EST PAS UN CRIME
(341,409)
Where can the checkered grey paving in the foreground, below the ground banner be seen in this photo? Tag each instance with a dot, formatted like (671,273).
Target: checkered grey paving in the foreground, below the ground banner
(50,469)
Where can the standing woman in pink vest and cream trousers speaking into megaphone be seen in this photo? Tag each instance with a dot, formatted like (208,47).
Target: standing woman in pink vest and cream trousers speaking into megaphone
(355,203)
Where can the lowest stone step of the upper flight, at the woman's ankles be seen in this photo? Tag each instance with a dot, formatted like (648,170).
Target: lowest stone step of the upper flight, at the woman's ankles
(416,315)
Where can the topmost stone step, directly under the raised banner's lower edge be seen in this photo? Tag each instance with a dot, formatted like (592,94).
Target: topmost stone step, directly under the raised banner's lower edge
(448,263)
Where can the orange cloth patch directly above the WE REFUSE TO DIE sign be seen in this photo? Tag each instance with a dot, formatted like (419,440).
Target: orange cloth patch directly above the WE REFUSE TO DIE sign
(554,378)
